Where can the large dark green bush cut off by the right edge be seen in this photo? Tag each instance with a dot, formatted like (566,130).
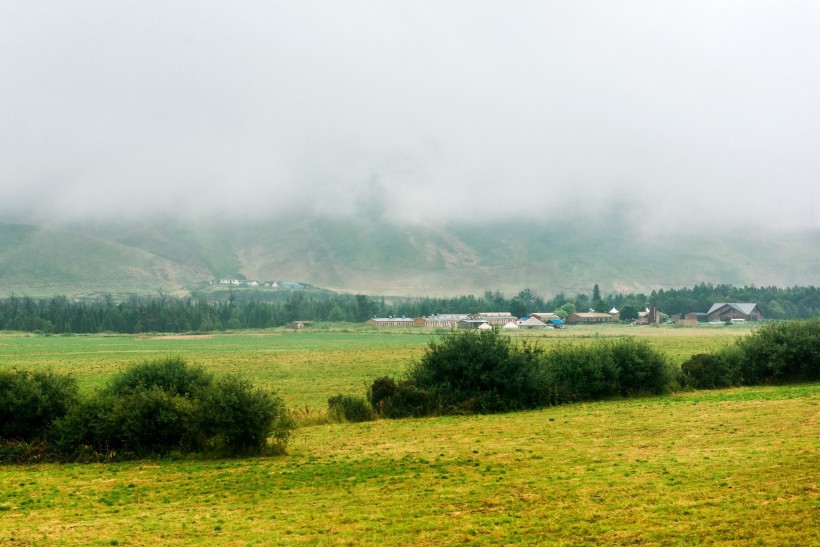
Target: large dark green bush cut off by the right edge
(779,352)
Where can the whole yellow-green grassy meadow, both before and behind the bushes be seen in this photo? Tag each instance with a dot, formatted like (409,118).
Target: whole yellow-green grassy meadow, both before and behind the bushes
(736,466)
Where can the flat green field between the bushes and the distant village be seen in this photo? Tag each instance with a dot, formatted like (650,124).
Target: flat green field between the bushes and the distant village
(306,367)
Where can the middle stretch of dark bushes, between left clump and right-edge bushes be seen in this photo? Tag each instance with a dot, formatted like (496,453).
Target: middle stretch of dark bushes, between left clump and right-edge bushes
(474,371)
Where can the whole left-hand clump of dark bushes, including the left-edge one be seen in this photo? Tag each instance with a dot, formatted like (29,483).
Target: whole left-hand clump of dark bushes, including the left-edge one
(151,409)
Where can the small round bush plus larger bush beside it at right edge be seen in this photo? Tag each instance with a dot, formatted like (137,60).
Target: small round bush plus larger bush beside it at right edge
(775,353)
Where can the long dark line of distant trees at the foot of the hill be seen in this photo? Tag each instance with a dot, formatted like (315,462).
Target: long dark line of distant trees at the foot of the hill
(162,313)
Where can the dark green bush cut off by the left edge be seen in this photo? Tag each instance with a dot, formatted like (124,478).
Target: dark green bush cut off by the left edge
(31,401)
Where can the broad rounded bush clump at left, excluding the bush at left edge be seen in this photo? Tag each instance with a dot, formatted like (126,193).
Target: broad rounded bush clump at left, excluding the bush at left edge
(165,406)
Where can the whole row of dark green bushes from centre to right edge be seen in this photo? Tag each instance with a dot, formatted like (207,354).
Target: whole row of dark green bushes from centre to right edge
(472,371)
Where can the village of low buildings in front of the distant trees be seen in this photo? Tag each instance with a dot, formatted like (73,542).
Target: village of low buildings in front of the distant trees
(719,313)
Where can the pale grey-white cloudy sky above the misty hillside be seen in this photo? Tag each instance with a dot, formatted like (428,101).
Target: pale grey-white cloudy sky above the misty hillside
(691,112)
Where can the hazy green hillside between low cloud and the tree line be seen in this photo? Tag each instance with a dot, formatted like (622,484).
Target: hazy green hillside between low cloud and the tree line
(379,257)
